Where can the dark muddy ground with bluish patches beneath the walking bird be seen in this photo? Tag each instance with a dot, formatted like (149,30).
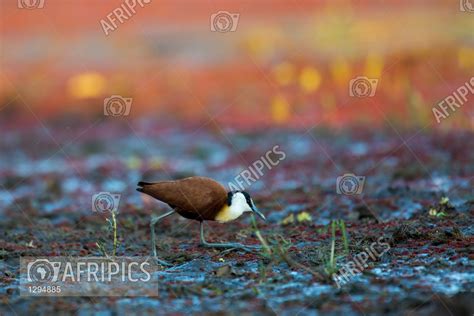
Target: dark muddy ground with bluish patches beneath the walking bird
(418,197)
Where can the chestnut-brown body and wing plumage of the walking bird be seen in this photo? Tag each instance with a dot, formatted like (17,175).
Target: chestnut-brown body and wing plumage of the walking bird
(193,197)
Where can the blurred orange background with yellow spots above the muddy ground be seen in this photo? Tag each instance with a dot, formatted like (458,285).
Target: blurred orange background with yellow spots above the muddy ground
(288,63)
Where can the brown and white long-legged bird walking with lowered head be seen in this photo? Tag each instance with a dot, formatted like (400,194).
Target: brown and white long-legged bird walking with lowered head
(201,199)
